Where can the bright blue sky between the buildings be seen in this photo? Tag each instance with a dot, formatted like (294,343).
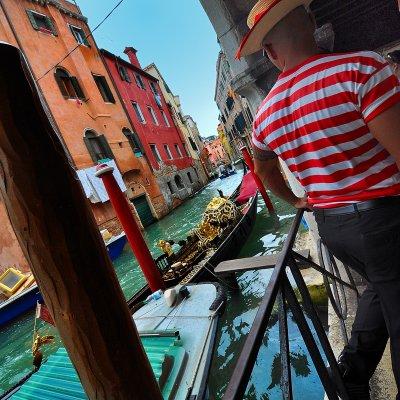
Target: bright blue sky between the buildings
(177,36)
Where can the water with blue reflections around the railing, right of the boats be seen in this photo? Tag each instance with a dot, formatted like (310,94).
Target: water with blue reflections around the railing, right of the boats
(267,237)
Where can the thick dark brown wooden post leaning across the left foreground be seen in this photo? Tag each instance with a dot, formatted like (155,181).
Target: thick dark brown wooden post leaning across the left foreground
(59,237)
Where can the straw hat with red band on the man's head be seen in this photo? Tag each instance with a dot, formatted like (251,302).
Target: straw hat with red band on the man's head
(262,18)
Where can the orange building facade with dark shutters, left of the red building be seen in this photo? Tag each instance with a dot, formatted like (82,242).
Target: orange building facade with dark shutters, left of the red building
(81,98)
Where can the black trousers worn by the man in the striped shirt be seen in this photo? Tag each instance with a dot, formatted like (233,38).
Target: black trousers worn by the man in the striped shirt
(369,242)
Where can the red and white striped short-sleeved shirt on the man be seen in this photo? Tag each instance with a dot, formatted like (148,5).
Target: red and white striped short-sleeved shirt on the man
(315,119)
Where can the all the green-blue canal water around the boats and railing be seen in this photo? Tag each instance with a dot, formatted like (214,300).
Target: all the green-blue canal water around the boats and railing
(267,237)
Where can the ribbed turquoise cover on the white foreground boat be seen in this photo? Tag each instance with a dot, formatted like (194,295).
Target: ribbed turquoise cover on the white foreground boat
(57,379)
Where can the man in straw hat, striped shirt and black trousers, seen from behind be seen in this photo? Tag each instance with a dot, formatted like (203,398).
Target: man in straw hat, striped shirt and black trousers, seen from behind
(334,119)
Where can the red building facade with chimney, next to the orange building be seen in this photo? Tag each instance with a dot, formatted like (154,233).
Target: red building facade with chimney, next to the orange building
(155,133)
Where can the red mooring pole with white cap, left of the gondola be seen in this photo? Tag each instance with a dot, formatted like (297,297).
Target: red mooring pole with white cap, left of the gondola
(132,231)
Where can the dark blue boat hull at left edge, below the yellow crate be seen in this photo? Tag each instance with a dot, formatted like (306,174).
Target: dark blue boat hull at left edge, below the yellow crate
(19,304)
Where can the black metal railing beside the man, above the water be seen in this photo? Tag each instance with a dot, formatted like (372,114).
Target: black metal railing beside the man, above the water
(279,289)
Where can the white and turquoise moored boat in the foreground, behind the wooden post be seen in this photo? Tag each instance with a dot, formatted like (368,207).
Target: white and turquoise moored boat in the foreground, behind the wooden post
(179,355)
